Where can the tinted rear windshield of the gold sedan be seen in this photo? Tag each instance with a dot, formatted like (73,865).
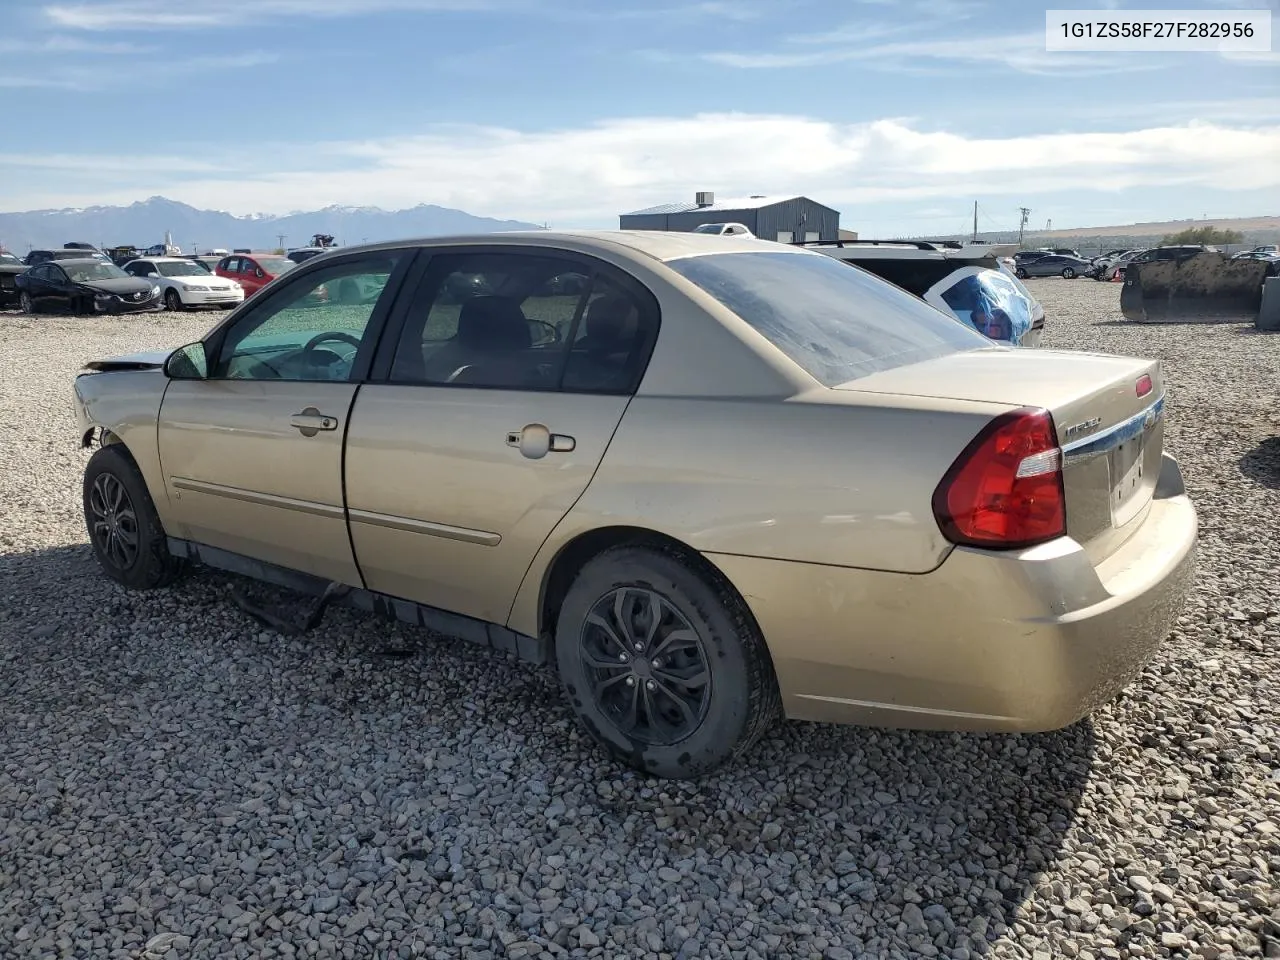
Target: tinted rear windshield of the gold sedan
(835,321)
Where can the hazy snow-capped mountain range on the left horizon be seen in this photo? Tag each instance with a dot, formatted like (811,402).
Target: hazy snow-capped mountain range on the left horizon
(145,223)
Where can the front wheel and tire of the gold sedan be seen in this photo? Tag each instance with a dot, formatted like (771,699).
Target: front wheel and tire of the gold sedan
(124,525)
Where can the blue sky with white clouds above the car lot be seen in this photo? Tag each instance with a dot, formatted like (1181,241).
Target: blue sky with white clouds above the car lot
(898,113)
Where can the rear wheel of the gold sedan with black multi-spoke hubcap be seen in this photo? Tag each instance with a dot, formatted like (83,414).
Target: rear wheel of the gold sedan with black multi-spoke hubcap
(664,664)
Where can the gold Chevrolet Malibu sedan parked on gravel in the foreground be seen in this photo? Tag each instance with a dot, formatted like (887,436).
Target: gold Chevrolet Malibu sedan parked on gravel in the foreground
(716,481)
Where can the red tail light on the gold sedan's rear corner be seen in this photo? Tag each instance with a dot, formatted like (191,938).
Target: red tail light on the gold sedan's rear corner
(1005,490)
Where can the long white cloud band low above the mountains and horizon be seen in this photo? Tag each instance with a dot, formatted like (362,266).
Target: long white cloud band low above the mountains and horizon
(588,176)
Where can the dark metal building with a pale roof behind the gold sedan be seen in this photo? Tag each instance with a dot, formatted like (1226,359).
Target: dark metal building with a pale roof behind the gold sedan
(769,218)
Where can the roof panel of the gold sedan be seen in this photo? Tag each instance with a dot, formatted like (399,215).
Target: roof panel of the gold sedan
(656,245)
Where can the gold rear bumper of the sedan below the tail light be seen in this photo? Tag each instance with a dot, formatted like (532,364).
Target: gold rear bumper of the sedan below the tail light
(1030,641)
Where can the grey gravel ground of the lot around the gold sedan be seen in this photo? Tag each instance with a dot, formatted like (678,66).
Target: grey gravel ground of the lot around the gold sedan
(179,784)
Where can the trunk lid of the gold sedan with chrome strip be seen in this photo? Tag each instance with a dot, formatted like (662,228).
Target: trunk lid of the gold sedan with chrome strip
(1108,412)
